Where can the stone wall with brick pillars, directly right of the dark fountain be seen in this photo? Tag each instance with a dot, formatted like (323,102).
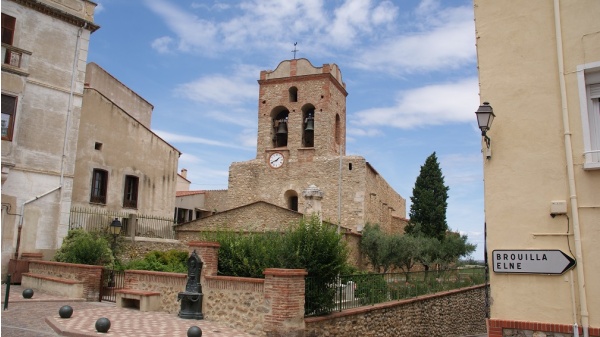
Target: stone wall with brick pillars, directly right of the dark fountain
(269,307)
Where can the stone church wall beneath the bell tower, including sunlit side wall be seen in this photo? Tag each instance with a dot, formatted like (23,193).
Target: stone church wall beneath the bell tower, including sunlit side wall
(366,196)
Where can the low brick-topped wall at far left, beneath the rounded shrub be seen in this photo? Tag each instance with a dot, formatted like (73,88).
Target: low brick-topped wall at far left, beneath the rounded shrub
(89,275)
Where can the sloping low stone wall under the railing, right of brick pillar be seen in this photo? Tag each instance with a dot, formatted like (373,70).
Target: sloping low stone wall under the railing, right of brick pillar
(453,313)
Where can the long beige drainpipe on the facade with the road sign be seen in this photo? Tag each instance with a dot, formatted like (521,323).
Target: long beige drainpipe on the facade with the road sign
(571,175)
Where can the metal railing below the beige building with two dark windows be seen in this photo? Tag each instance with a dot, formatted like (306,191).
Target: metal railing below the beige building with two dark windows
(91,219)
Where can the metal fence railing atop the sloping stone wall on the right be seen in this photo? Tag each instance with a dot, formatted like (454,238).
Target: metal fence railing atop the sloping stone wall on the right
(351,291)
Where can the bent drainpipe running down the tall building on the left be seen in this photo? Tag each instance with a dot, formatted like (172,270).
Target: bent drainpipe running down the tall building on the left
(65,139)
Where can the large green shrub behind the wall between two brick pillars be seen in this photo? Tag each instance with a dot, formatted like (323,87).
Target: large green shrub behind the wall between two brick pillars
(309,245)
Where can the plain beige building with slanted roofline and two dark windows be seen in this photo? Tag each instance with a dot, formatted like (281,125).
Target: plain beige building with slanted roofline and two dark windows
(121,165)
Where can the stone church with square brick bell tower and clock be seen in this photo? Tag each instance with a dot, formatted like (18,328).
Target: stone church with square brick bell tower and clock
(300,164)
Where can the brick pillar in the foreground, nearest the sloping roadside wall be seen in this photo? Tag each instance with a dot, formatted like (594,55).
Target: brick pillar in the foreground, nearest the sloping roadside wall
(284,289)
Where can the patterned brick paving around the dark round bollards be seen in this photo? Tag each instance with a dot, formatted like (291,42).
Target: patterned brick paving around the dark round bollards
(38,317)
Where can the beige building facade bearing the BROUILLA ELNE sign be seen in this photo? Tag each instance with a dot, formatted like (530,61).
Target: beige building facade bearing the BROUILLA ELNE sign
(539,68)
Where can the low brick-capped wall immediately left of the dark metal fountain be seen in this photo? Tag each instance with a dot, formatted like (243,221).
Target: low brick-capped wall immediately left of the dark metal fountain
(167,284)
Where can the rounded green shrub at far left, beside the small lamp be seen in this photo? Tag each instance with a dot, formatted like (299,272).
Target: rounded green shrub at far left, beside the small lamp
(84,247)
